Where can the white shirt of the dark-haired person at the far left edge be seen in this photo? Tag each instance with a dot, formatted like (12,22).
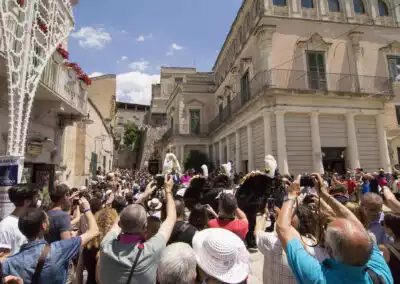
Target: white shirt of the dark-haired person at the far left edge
(10,235)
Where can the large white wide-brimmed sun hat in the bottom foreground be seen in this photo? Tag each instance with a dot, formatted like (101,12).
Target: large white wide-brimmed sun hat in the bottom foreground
(222,255)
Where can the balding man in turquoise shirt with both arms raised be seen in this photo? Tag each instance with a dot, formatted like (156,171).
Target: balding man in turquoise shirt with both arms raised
(354,258)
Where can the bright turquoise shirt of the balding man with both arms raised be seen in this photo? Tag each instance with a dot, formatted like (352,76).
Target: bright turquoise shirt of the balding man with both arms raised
(307,269)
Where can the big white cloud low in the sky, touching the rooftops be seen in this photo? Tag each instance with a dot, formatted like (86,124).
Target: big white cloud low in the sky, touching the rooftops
(135,87)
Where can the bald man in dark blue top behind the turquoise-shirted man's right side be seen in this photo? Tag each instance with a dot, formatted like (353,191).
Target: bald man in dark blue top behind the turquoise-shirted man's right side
(371,205)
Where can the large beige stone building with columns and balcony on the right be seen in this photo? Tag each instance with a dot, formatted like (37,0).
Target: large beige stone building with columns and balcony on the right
(312,82)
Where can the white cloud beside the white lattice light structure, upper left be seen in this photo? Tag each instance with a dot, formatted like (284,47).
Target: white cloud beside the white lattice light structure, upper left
(90,37)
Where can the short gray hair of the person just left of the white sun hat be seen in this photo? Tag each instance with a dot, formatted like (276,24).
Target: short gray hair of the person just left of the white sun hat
(177,265)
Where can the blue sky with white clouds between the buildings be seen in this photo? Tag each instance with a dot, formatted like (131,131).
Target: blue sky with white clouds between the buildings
(133,38)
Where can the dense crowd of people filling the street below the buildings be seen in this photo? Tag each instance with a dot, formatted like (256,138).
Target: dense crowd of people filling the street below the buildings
(132,227)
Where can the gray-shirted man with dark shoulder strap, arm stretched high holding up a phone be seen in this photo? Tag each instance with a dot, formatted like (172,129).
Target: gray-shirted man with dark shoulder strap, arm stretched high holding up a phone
(126,256)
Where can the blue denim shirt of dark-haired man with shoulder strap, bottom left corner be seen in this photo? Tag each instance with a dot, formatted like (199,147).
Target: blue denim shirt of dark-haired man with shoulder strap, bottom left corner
(55,269)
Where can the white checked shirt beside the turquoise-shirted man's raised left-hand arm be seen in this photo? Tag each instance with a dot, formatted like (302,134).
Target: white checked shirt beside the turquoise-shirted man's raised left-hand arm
(276,267)
